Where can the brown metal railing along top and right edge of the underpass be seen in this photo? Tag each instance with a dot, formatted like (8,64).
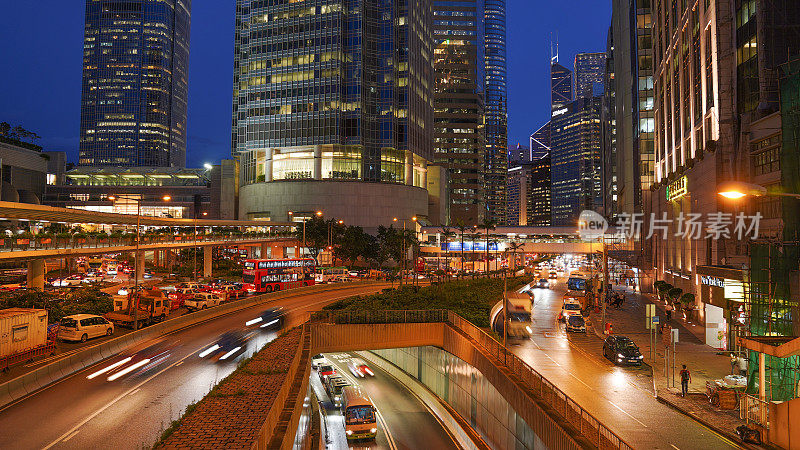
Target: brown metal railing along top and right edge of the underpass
(597,433)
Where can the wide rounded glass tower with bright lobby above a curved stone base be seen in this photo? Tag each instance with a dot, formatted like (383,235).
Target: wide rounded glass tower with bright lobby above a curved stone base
(333,108)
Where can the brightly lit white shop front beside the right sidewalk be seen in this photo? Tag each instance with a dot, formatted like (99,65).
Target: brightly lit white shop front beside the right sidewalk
(722,296)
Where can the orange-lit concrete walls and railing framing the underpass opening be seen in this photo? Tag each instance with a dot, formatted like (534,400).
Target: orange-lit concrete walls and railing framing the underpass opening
(521,407)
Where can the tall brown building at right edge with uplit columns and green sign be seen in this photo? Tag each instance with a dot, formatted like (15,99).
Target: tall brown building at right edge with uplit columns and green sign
(716,66)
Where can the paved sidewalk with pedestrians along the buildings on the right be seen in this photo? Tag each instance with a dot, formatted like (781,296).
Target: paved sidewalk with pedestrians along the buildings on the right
(704,362)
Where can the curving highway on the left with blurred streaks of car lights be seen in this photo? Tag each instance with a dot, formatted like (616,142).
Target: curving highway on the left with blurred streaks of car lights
(132,411)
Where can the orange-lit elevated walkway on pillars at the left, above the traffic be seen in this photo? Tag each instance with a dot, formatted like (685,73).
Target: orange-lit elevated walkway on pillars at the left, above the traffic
(266,235)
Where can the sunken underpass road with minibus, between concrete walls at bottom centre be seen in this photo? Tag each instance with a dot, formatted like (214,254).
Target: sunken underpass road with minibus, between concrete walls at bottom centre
(403,420)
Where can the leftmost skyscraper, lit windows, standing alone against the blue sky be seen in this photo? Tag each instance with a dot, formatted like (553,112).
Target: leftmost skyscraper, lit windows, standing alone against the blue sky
(134,90)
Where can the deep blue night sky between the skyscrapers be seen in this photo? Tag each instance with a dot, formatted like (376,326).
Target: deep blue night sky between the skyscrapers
(40,80)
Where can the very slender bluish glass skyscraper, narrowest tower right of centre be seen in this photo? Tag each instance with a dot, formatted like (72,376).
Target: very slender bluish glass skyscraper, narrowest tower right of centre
(495,168)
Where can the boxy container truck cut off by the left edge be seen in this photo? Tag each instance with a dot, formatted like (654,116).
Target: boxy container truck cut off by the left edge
(23,335)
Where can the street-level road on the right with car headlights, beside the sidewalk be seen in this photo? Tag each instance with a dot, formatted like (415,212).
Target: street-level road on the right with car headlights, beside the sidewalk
(620,397)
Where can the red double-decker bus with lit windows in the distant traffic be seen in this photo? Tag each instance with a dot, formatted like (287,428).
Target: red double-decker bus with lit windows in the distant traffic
(268,275)
